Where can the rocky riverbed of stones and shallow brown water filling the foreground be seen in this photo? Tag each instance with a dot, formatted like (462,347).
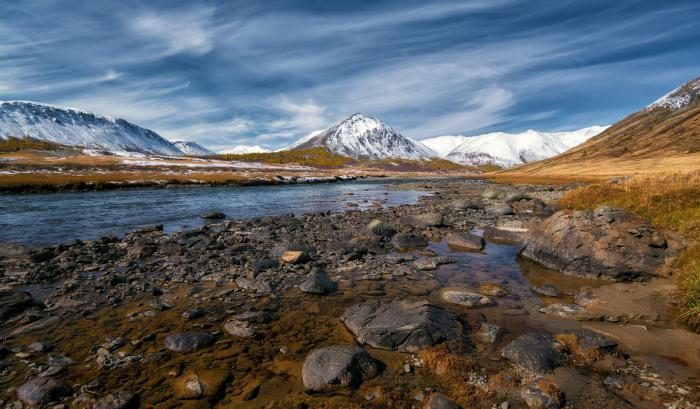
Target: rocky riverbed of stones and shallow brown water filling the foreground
(429,305)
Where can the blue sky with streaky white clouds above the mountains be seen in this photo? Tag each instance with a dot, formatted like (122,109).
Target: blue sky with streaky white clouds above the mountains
(225,73)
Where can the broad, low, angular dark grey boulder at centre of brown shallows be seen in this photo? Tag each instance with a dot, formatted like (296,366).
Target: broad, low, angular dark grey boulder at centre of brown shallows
(404,325)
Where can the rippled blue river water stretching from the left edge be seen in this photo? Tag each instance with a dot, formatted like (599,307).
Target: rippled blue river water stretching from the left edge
(61,217)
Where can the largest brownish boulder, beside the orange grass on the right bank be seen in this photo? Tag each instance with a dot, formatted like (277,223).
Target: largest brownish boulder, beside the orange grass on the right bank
(606,242)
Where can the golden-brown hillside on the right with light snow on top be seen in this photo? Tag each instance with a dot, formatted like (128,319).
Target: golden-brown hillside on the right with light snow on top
(666,131)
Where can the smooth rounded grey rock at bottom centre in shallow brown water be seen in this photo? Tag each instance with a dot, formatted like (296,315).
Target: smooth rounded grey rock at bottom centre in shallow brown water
(337,366)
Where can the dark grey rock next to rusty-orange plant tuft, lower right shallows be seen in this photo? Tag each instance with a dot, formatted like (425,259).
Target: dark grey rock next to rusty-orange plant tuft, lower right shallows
(535,352)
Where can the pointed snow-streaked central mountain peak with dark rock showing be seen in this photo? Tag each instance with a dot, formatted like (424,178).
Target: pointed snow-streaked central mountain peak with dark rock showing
(364,137)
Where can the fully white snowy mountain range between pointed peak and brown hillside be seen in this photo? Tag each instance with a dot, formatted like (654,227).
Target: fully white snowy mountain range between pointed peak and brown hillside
(508,150)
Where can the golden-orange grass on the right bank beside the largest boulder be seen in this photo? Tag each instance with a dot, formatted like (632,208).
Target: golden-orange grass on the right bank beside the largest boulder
(669,201)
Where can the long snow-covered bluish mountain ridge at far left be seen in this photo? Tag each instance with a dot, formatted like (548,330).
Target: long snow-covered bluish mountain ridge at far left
(73,127)
